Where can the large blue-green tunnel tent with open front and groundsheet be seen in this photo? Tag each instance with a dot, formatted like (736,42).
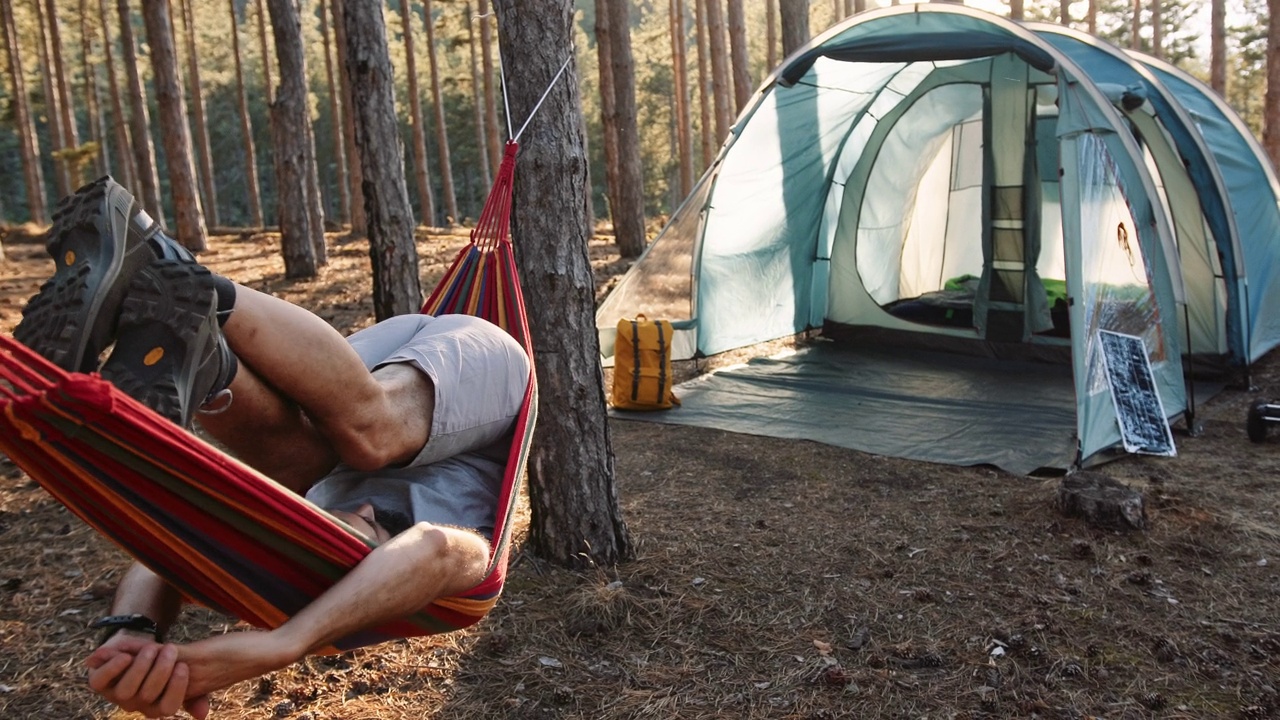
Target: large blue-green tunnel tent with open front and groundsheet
(963,213)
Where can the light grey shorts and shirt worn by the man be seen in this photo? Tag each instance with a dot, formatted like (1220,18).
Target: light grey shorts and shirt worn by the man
(481,377)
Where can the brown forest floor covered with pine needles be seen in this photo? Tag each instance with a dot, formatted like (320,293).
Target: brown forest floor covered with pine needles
(772,580)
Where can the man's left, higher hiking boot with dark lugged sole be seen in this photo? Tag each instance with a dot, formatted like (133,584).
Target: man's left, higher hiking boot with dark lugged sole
(99,241)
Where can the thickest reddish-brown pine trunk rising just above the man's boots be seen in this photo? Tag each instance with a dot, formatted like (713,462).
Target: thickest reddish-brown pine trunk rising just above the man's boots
(190,218)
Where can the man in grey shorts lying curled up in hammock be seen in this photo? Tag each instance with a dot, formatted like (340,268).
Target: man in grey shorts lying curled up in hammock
(400,431)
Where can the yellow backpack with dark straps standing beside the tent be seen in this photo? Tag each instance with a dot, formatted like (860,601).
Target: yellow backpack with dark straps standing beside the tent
(642,366)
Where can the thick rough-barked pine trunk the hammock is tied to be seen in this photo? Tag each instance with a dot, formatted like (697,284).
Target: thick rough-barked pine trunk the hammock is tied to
(577,518)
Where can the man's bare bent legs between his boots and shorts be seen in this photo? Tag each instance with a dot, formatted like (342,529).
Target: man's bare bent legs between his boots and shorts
(304,388)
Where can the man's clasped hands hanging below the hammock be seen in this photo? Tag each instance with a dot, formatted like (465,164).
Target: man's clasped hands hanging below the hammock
(143,676)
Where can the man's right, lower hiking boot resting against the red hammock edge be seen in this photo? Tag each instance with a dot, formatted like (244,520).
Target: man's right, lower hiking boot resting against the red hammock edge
(170,353)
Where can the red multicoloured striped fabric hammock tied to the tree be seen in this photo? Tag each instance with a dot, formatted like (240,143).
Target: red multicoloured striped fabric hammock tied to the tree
(222,534)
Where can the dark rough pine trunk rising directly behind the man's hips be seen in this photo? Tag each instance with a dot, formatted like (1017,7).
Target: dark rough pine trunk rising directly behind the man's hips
(382,160)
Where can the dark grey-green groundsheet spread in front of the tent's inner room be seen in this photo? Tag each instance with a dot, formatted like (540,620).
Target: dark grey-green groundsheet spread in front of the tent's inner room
(921,405)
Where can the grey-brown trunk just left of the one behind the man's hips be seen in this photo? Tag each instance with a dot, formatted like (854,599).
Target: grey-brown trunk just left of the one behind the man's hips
(295,153)
